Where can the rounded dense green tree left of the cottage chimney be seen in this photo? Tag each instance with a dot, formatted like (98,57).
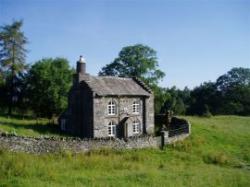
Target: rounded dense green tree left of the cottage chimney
(49,81)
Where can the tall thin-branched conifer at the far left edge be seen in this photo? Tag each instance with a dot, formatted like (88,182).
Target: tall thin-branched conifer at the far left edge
(12,56)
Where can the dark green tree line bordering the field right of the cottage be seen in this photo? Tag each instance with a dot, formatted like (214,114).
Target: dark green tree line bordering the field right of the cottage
(230,94)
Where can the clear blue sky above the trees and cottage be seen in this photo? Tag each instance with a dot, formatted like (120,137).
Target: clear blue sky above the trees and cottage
(195,40)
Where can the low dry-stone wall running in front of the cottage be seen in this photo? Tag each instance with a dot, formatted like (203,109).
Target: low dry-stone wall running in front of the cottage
(77,145)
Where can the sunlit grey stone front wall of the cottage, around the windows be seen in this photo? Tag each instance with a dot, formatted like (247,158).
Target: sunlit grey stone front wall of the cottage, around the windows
(124,109)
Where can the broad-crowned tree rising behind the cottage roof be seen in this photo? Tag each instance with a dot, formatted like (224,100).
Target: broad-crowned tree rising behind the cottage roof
(135,61)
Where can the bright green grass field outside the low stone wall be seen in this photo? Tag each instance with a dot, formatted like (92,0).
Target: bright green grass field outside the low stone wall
(216,154)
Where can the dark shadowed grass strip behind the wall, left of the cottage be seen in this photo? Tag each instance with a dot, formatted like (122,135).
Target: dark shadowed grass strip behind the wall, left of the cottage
(43,129)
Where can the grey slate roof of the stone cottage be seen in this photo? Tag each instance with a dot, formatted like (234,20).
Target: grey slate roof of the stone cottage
(117,86)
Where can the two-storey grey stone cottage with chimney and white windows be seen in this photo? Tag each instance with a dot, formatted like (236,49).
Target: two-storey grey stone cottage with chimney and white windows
(107,106)
